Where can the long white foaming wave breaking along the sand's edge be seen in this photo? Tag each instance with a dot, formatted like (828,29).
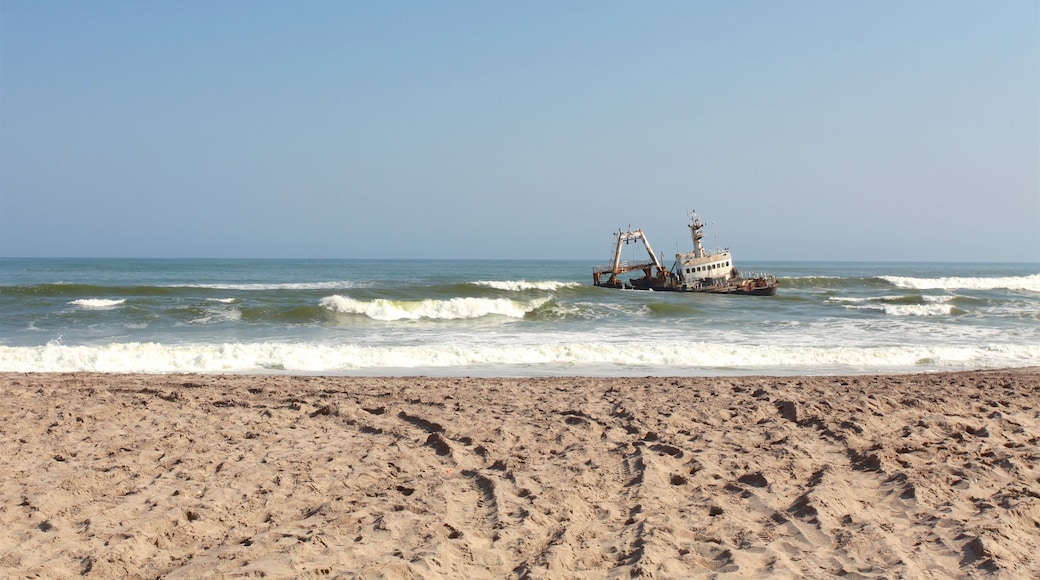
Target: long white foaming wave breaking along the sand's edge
(618,359)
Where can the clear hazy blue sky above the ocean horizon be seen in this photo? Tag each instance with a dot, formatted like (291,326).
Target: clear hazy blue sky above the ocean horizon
(803,130)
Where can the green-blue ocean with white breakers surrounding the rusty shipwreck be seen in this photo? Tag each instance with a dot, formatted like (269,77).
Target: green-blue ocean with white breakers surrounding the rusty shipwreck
(507,319)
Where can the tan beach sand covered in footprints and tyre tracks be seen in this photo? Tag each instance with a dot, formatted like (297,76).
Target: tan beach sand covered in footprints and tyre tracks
(188,477)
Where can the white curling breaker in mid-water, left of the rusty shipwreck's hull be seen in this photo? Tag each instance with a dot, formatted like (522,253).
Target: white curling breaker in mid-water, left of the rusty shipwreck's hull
(453,309)
